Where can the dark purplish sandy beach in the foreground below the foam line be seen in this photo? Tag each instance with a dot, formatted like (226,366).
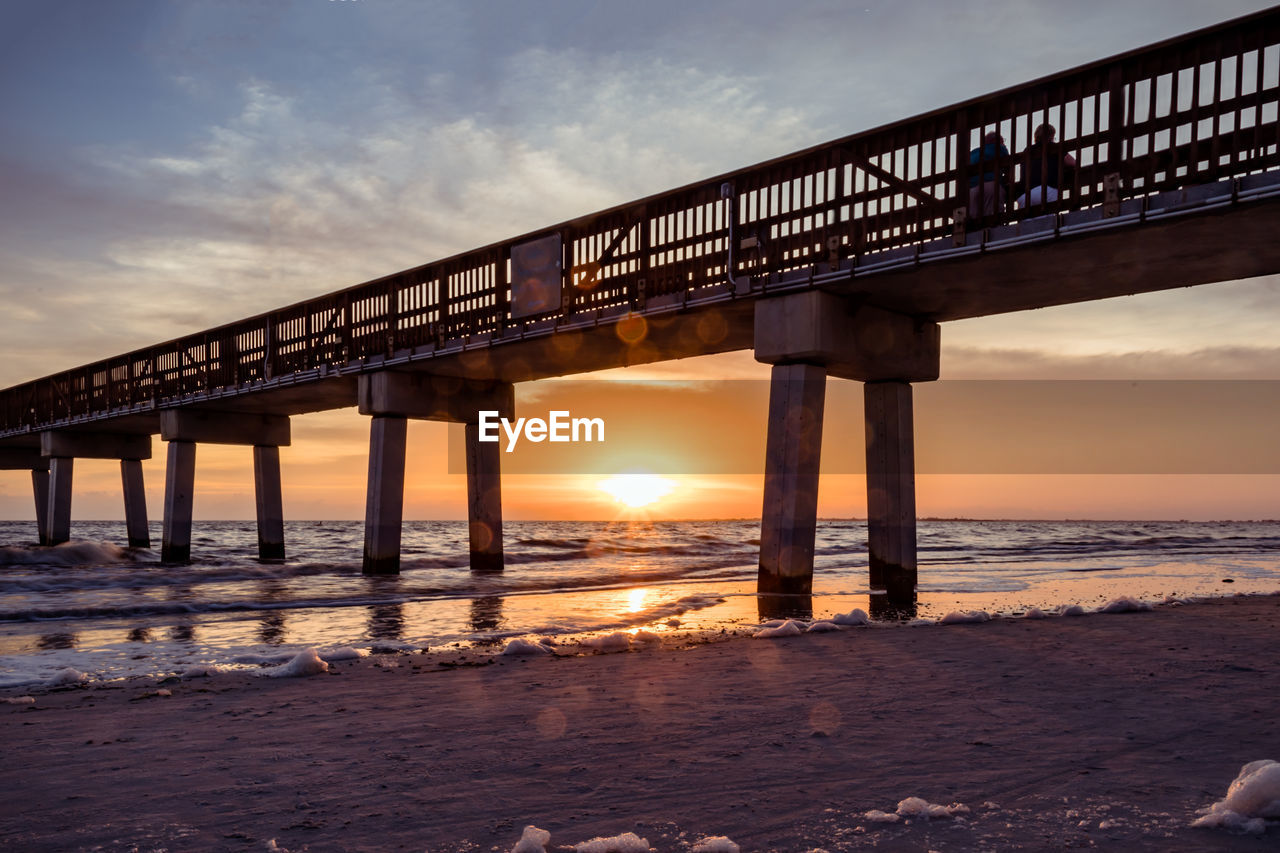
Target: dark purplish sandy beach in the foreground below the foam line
(1104,732)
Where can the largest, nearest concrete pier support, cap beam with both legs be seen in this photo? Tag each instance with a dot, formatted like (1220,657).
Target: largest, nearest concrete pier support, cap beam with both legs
(851,340)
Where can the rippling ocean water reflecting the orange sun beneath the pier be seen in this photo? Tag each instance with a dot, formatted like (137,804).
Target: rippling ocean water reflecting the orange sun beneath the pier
(109,613)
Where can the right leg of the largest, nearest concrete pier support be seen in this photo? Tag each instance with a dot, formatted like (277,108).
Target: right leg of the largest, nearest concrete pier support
(892,491)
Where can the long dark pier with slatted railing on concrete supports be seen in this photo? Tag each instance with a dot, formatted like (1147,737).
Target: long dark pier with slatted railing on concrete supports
(843,261)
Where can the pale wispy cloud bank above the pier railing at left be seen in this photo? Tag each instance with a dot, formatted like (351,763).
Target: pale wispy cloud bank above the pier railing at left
(287,200)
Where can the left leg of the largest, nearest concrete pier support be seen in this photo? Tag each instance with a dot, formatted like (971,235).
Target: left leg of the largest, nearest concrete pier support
(792,459)
